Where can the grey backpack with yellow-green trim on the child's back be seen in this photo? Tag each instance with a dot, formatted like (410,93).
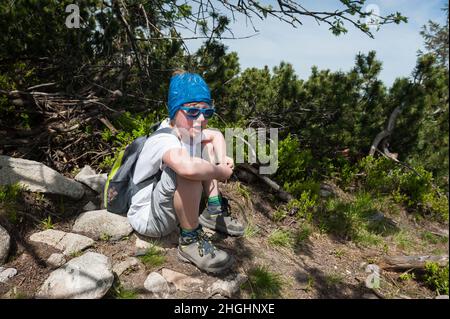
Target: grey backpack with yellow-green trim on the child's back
(119,186)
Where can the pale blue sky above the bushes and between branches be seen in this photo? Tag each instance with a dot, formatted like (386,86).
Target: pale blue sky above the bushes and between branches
(312,44)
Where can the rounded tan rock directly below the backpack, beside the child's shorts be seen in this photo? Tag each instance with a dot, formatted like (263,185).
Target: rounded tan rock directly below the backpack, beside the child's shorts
(100,223)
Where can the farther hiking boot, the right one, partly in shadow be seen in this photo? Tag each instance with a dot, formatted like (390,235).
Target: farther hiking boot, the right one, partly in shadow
(218,218)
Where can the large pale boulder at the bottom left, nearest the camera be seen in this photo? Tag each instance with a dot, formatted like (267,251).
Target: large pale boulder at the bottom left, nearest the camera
(86,277)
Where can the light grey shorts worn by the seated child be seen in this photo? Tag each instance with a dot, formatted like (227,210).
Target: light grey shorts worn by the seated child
(158,218)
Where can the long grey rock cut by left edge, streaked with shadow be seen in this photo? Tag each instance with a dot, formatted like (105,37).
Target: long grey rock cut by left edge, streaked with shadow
(37,177)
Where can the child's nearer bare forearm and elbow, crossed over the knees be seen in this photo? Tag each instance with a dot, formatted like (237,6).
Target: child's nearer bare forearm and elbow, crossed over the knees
(195,168)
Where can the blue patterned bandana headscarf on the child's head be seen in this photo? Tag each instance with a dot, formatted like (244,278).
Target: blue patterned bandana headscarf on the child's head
(187,88)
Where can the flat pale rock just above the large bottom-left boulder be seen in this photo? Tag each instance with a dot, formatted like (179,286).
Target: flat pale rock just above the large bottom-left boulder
(67,242)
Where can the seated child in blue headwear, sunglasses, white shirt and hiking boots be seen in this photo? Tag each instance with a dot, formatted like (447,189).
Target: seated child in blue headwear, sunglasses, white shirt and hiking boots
(174,200)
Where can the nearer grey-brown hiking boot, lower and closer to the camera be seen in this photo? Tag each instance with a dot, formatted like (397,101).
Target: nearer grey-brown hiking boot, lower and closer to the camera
(199,250)
